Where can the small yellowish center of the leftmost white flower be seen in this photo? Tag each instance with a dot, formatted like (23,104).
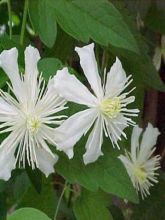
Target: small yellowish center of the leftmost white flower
(33,124)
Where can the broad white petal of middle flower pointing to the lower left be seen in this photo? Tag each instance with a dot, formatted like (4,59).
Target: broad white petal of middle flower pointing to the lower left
(72,130)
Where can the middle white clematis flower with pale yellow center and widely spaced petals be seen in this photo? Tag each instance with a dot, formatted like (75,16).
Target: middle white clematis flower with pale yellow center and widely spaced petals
(106,107)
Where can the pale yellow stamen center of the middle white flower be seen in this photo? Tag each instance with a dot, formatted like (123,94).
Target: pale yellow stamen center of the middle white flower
(110,107)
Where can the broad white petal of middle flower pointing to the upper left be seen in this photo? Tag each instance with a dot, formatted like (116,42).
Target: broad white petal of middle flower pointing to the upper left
(69,87)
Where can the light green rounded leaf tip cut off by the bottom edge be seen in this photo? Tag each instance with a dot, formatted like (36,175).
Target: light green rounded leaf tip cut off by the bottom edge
(28,214)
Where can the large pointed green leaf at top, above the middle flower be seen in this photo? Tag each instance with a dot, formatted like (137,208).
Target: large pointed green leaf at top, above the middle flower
(96,19)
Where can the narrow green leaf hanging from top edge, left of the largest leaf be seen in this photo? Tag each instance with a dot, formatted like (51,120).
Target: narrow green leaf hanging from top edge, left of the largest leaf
(43,21)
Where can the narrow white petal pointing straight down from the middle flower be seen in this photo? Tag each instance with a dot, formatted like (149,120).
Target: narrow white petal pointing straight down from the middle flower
(94,143)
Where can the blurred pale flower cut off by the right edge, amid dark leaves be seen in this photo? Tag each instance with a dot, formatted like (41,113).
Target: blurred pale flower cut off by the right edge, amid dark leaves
(159,54)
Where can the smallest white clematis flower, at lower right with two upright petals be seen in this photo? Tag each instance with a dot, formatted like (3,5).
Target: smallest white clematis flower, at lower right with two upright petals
(139,163)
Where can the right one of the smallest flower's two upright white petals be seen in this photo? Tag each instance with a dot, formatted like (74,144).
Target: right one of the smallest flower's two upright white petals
(148,141)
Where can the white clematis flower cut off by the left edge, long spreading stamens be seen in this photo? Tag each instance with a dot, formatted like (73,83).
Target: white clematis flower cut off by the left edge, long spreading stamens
(28,115)
